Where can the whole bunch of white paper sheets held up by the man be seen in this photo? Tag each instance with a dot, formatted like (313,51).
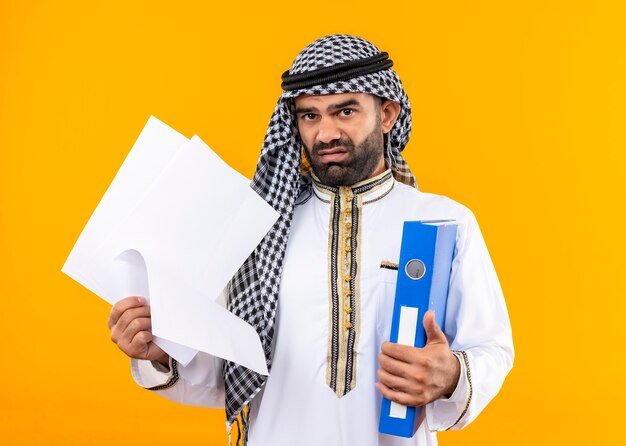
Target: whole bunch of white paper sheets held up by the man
(175,225)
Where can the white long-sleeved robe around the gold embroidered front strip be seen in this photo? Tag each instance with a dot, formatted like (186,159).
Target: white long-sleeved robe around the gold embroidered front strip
(297,405)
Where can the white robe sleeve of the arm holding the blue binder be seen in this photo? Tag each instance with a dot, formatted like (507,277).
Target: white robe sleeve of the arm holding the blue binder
(478,328)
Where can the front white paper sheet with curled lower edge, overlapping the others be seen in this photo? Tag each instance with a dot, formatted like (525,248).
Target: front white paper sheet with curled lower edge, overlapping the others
(194,228)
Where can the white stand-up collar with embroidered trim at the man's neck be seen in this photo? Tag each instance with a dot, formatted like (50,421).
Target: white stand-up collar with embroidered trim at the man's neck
(369,190)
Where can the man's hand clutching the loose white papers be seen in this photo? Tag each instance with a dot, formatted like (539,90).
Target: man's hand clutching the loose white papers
(131,330)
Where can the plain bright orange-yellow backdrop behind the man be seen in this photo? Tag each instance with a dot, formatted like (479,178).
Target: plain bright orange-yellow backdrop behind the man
(518,112)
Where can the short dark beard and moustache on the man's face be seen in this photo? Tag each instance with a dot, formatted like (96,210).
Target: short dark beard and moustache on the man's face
(359,165)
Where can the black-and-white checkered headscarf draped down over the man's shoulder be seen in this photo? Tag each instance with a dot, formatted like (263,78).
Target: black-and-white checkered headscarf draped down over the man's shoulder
(253,294)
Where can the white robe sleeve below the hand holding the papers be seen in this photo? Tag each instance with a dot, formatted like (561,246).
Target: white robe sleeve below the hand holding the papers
(199,383)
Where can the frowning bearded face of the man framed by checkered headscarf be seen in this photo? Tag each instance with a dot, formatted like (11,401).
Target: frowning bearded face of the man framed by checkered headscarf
(342,136)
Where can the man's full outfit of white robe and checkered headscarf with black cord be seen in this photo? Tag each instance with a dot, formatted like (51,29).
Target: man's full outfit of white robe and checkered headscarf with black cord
(329,260)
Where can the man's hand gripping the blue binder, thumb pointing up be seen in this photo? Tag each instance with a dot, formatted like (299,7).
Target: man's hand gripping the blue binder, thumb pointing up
(416,376)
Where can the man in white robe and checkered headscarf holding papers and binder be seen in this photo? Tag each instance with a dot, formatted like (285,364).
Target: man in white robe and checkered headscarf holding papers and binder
(319,288)
